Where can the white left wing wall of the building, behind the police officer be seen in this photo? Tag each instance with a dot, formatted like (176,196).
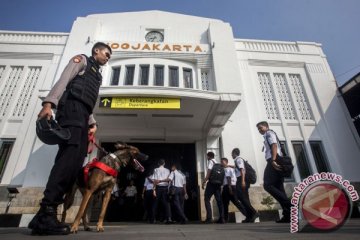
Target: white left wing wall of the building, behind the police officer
(28,63)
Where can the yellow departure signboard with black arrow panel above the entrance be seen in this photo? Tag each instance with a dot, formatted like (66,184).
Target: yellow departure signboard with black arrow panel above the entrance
(139,103)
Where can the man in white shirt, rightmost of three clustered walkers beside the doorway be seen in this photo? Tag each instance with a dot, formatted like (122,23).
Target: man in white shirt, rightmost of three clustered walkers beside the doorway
(242,187)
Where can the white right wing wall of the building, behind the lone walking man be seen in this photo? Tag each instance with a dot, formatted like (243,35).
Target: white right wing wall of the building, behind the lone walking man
(319,117)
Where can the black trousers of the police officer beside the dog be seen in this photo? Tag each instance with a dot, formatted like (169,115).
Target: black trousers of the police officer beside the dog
(70,156)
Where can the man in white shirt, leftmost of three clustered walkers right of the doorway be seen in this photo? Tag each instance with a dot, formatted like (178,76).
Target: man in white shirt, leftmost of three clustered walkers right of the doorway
(212,189)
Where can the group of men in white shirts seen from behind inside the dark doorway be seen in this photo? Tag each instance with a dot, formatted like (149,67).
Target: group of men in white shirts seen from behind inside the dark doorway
(167,190)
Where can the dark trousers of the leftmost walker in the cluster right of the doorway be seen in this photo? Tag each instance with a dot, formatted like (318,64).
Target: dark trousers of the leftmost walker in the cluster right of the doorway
(210,190)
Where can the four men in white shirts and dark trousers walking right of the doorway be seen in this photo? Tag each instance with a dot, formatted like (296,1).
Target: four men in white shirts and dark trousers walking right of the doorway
(235,187)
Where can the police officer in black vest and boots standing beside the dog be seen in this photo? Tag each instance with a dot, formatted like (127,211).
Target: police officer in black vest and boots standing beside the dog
(74,96)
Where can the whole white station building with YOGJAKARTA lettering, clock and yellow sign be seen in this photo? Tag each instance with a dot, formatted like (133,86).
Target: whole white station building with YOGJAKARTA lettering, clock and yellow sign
(176,86)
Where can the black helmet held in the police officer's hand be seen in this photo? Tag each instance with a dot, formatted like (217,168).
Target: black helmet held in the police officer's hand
(50,132)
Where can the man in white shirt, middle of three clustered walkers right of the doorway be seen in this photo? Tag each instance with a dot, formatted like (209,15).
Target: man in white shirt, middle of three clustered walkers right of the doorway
(229,190)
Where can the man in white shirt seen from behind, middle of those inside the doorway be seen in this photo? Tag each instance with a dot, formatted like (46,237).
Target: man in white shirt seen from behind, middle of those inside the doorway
(161,175)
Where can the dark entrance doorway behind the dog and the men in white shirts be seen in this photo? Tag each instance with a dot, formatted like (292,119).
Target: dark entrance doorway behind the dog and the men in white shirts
(183,154)
